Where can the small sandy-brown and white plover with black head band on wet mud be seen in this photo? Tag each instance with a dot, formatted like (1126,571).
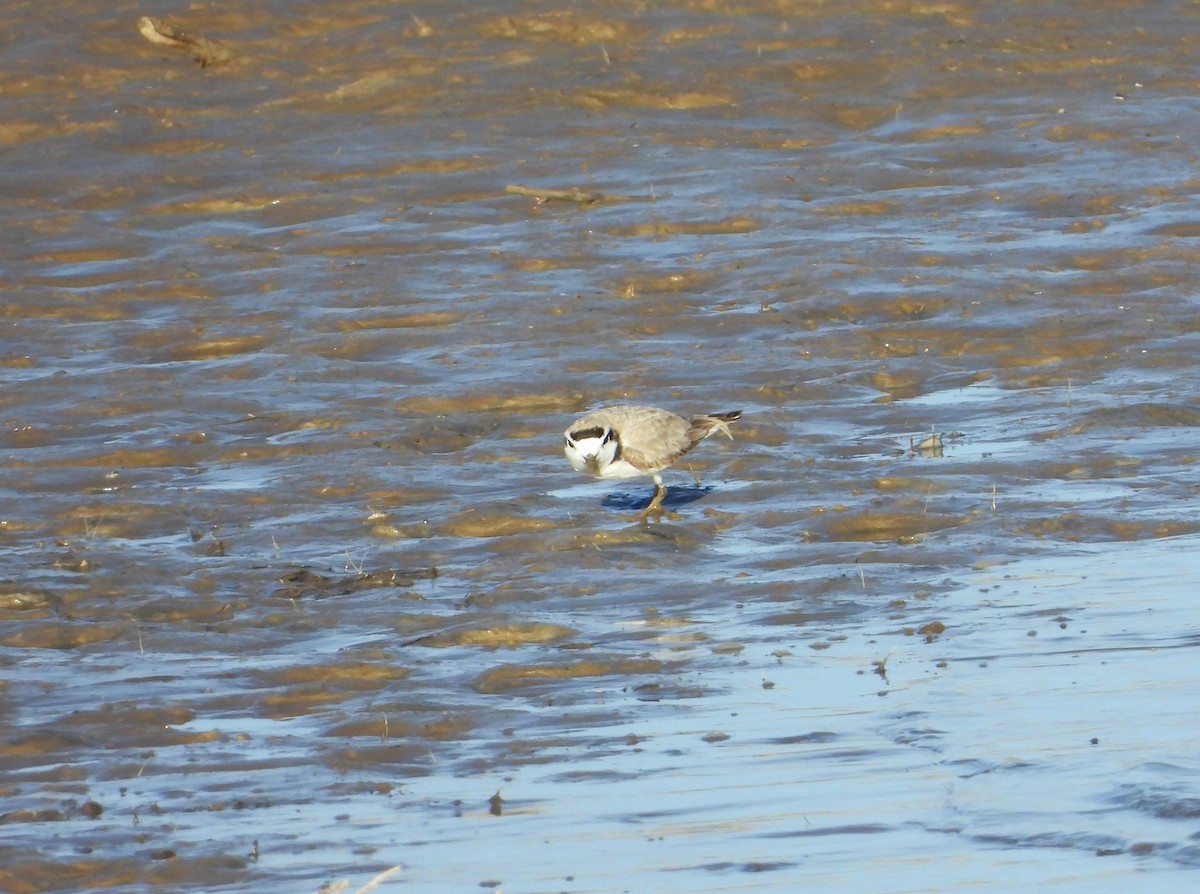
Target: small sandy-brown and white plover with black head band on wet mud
(627,442)
